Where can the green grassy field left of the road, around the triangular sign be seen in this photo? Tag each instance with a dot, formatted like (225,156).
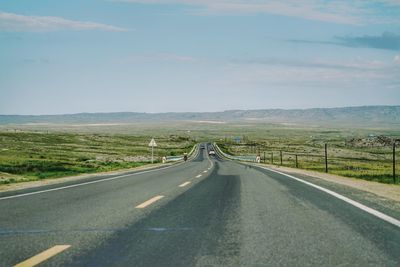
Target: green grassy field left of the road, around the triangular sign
(27,156)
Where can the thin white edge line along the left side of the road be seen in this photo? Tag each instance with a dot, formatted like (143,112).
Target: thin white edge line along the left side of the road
(87,183)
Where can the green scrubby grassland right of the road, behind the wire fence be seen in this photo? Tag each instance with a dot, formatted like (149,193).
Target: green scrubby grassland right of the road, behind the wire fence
(364,154)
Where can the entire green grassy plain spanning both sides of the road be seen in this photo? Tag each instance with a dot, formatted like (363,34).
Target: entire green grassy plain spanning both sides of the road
(40,151)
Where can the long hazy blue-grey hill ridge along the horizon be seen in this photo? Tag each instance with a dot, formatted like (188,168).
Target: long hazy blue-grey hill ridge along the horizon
(347,116)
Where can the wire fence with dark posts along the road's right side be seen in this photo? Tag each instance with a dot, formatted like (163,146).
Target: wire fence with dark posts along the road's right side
(379,165)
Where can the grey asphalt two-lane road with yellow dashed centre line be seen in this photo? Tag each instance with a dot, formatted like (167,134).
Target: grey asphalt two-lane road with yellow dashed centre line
(205,212)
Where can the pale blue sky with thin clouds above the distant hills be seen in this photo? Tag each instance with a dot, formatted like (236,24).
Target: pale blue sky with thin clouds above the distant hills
(183,55)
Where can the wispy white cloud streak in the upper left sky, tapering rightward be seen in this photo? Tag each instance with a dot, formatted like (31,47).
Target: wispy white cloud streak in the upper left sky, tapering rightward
(11,22)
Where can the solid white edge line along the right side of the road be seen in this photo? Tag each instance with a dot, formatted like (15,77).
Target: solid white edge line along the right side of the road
(371,211)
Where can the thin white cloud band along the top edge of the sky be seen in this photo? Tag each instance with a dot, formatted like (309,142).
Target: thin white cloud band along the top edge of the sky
(338,11)
